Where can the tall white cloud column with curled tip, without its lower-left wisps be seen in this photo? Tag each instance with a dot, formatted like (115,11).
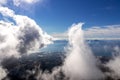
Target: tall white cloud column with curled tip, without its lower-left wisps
(80,64)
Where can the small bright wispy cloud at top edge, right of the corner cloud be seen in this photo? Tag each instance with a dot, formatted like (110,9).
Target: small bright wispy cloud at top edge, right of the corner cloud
(28,5)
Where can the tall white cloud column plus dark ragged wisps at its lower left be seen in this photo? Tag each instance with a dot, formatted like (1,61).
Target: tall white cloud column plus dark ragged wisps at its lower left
(79,64)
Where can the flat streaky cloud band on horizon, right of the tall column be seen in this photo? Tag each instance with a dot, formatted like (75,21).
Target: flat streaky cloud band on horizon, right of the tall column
(103,32)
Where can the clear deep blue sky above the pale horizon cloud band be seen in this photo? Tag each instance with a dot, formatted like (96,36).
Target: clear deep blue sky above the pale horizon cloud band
(58,15)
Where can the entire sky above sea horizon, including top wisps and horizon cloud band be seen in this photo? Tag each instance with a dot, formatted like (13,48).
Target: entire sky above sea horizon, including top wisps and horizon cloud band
(56,16)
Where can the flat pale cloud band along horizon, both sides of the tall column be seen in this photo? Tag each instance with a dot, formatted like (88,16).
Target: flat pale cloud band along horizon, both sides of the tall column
(97,32)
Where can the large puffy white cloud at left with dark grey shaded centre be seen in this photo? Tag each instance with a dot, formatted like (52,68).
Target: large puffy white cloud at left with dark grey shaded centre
(22,37)
